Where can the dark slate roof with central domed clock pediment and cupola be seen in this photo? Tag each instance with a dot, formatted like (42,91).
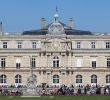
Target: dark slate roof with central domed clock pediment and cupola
(57,28)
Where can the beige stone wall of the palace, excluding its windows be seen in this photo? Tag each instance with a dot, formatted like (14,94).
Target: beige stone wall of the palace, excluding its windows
(44,57)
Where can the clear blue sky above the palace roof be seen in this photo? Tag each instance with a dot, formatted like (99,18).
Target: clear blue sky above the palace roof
(23,15)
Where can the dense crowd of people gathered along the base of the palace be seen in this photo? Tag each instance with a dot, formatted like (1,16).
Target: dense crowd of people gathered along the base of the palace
(58,90)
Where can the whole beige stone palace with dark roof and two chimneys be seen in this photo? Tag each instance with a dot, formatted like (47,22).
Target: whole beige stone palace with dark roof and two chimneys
(57,53)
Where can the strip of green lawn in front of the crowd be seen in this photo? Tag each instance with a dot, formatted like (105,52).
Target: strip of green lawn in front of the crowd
(56,98)
